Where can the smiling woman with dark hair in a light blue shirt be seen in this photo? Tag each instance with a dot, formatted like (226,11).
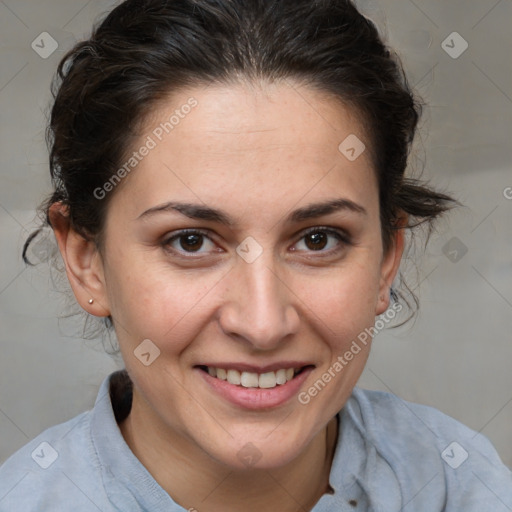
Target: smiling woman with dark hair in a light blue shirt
(230,196)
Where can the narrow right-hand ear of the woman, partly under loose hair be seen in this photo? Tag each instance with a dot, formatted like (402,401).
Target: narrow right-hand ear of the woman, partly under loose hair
(390,264)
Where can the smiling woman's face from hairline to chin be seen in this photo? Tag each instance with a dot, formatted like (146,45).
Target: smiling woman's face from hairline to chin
(282,267)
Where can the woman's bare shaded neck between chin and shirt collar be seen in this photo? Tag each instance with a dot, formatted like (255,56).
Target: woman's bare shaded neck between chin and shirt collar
(195,480)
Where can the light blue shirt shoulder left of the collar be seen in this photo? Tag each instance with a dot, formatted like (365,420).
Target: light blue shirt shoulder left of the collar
(58,470)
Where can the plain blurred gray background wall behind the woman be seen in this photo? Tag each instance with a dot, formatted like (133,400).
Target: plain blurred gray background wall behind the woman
(456,356)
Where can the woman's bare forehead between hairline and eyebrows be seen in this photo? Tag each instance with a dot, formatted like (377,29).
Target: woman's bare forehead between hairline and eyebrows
(280,142)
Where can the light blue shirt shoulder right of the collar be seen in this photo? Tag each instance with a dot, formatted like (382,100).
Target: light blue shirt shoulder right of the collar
(429,451)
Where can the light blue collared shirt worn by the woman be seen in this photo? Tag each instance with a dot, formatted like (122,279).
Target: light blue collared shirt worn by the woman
(391,456)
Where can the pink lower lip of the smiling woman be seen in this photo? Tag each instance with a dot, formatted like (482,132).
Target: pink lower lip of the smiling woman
(256,398)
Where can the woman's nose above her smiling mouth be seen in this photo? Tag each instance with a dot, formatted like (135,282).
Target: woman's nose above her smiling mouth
(259,306)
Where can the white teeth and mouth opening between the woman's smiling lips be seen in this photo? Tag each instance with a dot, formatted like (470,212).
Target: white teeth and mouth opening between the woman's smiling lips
(245,379)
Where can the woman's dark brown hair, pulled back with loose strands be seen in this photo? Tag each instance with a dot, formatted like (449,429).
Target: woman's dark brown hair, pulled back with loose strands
(143,50)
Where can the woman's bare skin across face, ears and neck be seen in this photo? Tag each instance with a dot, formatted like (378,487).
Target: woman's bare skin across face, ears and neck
(257,152)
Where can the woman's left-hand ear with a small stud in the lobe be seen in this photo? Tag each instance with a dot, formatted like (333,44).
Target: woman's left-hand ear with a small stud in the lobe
(84,266)
